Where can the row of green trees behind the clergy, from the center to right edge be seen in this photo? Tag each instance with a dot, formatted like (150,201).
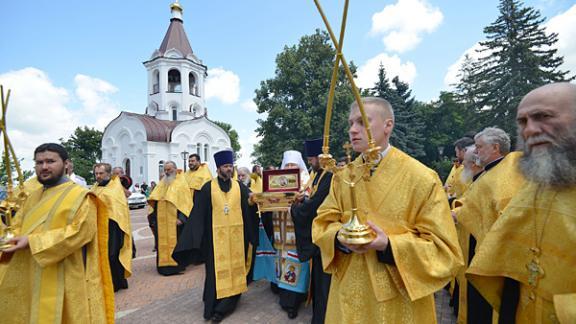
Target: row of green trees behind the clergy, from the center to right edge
(516,57)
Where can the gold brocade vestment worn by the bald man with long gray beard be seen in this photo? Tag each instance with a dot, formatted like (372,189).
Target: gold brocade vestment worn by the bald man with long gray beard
(540,218)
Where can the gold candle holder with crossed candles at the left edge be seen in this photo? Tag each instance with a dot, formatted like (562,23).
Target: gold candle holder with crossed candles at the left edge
(13,201)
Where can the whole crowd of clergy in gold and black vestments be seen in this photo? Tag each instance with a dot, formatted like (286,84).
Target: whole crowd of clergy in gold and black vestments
(499,234)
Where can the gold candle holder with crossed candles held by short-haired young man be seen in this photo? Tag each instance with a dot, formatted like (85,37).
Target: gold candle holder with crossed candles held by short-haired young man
(354,231)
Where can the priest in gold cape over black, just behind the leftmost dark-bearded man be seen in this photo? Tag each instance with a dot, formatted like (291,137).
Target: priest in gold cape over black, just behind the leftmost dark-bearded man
(110,192)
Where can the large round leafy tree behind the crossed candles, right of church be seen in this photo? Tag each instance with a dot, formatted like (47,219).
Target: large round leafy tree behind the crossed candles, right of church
(294,101)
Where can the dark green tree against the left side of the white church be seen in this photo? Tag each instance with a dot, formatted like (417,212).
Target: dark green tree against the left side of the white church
(84,149)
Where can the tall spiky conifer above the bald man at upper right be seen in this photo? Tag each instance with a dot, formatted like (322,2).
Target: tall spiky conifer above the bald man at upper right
(517,56)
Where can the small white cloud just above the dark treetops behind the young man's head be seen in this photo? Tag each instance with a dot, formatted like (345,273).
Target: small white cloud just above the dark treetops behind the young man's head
(367,73)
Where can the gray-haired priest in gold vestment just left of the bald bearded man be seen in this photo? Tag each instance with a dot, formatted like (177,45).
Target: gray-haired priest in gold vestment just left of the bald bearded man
(479,208)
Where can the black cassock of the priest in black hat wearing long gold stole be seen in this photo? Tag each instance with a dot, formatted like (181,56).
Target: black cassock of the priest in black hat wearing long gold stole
(195,243)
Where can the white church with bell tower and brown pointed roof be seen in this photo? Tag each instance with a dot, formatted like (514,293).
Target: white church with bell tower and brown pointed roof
(175,121)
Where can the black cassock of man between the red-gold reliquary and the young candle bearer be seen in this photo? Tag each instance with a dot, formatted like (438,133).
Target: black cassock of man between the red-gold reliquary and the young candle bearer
(302,215)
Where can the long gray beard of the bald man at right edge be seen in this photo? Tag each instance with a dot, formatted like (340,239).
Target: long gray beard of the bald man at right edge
(553,166)
